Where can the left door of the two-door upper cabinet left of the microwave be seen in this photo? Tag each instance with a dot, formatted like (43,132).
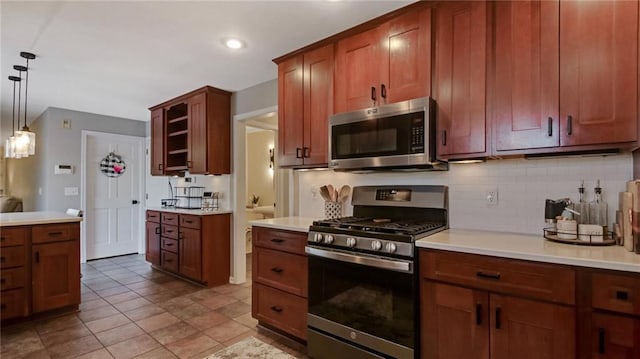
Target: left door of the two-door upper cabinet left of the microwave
(290,112)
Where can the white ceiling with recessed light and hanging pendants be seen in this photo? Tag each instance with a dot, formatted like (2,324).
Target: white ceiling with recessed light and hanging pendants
(118,58)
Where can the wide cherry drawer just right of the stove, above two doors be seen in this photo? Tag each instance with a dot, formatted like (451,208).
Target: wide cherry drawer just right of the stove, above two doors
(543,281)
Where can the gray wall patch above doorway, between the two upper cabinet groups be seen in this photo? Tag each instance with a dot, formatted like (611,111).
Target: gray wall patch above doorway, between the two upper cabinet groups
(254,98)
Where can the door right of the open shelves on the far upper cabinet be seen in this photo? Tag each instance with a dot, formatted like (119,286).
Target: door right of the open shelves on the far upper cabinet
(197,122)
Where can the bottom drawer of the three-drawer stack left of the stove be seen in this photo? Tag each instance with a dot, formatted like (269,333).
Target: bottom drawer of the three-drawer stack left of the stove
(282,310)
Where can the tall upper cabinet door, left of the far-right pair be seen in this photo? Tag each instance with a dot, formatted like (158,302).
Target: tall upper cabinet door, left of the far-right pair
(526,99)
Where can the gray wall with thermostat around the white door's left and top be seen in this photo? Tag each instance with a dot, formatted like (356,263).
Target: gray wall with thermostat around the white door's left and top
(33,178)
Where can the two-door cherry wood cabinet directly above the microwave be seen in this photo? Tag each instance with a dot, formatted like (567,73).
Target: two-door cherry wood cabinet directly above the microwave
(386,64)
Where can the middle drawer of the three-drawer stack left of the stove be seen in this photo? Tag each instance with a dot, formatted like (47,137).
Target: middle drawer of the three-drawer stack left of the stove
(281,270)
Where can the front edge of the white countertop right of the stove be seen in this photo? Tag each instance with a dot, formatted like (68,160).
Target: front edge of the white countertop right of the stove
(580,262)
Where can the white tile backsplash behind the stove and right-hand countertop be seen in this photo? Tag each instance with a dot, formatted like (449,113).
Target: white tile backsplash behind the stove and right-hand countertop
(522,185)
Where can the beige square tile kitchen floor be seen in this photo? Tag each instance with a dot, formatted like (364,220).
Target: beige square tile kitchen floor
(129,310)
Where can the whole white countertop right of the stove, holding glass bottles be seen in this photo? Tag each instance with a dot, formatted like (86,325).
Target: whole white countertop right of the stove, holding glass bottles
(532,247)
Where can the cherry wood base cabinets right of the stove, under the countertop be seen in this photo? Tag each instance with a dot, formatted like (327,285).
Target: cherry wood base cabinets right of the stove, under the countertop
(483,307)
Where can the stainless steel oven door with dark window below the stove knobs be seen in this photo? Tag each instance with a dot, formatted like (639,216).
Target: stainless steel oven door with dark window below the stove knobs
(363,302)
